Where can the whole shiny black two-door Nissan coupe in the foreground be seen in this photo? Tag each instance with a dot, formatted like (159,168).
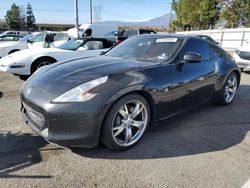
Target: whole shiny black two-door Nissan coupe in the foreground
(113,98)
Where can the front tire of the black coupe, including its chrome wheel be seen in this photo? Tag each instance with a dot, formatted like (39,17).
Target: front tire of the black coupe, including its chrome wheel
(126,122)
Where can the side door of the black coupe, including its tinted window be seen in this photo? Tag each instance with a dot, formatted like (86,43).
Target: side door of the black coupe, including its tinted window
(195,79)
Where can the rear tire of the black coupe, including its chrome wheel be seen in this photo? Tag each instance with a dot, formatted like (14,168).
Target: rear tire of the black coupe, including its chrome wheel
(228,91)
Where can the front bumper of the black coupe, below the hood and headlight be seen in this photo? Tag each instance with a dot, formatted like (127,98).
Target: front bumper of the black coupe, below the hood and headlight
(66,124)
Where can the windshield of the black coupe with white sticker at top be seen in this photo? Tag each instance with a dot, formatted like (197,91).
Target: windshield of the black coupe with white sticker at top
(147,48)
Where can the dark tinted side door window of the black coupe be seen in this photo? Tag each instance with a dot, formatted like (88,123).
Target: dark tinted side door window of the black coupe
(198,46)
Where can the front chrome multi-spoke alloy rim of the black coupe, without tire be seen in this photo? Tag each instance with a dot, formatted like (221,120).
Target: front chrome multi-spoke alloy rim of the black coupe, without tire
(129,123)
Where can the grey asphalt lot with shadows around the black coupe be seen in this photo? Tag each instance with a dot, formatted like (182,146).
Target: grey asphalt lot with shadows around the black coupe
(206,147)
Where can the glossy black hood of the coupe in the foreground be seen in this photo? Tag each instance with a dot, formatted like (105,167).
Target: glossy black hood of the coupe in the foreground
(60,77)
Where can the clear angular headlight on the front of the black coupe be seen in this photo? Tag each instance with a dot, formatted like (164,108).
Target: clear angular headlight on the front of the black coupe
(82,92)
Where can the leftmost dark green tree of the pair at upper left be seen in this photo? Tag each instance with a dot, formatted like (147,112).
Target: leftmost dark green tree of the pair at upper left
(13,18)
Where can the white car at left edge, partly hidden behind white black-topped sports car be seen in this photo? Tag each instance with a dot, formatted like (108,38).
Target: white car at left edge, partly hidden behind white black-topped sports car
(14,46)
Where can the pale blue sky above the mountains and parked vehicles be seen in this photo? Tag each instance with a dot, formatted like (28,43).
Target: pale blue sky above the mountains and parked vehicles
(62,11)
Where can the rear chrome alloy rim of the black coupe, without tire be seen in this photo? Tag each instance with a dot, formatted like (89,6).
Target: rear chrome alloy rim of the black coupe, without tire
(231,88)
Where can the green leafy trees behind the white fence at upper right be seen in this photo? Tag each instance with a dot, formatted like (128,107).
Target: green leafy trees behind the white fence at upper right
(205,14)
